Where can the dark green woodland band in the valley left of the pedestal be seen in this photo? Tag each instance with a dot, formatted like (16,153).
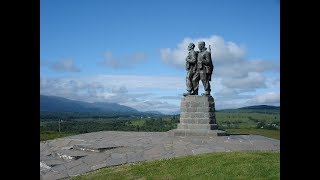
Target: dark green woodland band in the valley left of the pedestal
(85,125)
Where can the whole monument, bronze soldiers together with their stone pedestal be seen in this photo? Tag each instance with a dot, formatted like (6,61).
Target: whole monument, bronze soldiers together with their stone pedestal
(197,115)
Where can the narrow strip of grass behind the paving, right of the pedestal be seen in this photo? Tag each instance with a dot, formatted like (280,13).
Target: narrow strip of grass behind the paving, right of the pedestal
(275,134)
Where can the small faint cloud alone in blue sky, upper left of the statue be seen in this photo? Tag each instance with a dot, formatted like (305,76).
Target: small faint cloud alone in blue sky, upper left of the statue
(123,62)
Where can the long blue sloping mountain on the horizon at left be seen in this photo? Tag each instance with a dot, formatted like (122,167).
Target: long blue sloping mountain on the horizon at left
(59,104)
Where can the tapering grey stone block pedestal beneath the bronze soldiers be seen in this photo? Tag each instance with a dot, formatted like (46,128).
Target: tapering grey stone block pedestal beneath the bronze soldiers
(197,117)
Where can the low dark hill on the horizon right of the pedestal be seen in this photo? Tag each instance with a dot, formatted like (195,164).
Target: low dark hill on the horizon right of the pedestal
(255,109)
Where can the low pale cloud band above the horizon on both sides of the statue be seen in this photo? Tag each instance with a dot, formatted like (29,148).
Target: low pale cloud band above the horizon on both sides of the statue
(148,93)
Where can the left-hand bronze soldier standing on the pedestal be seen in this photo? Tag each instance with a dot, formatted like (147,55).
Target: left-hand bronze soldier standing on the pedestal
(192,78)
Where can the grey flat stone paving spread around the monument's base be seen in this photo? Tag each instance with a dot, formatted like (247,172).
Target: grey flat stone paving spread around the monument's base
(75,155)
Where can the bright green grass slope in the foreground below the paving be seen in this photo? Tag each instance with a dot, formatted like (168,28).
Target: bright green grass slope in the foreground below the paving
(222,165)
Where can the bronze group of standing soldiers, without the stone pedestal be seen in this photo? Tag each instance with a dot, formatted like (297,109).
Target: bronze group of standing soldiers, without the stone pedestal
(199,67)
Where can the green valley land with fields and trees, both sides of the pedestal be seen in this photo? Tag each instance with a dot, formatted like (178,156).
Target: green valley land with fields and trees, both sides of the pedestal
(240,122)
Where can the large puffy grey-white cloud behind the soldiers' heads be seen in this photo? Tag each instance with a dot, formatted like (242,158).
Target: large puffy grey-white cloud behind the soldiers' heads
(228,58)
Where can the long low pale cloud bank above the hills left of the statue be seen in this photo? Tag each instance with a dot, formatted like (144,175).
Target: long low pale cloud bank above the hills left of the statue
(139,92)
